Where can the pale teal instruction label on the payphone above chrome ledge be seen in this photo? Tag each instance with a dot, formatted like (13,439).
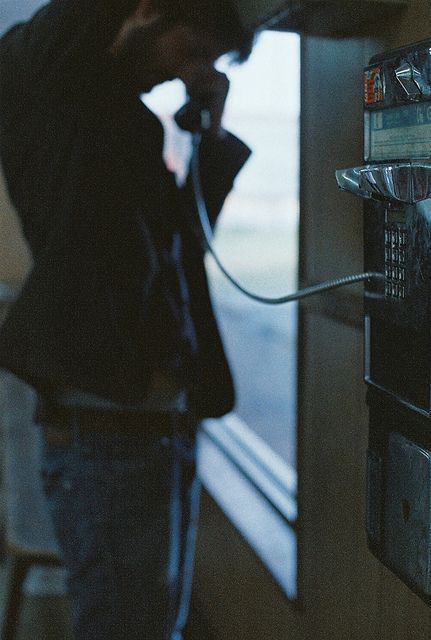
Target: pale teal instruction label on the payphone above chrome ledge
(400,132)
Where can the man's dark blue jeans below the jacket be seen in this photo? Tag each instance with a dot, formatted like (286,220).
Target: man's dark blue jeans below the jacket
(124,510)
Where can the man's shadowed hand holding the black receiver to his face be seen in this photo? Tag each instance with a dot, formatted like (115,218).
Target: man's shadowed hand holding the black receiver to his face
(207,89)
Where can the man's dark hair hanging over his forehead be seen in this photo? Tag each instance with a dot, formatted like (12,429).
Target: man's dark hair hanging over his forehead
(217,17)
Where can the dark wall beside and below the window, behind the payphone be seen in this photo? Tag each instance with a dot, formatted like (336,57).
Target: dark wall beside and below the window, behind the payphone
(346,593)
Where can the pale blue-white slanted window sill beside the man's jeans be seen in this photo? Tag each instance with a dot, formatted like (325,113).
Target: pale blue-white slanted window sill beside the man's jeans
(257,492)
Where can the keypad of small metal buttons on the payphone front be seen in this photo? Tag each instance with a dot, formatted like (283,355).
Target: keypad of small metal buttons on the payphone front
(395,261)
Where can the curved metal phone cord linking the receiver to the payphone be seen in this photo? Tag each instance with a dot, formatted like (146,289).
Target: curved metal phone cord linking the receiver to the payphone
(208,242)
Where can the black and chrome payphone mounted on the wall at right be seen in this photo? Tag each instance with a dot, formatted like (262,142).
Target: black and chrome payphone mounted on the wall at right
(396,187)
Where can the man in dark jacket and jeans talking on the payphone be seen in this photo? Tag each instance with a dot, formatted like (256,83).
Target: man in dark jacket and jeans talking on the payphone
(114,326)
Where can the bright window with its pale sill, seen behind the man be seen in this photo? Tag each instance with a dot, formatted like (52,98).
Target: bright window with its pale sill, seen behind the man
(254,449)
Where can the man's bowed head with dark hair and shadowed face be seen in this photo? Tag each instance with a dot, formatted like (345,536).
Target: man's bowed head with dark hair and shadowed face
(162,36)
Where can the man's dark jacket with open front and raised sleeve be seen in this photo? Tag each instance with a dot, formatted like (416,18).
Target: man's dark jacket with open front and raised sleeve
(82,158)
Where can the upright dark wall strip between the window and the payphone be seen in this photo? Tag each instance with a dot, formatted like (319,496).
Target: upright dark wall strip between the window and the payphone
(347,593)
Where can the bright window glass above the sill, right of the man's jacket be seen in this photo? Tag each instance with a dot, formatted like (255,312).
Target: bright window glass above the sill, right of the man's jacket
(257,239)
